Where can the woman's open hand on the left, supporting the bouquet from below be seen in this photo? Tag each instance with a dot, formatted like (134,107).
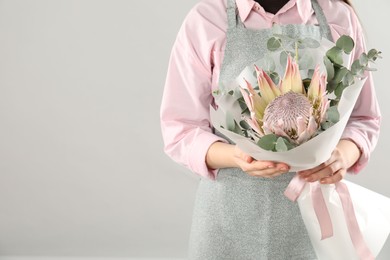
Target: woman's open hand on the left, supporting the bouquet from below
(266,169)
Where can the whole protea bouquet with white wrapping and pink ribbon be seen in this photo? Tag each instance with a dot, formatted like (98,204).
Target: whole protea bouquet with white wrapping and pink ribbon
(298,120)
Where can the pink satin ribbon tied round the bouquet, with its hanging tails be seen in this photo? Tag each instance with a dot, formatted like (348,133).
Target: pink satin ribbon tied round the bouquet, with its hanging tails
(294,190)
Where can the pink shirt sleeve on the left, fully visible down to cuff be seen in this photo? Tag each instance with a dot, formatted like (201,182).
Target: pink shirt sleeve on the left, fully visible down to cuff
(184,114)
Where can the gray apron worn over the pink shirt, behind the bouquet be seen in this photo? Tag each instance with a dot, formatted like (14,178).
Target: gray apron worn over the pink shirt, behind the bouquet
(236,216)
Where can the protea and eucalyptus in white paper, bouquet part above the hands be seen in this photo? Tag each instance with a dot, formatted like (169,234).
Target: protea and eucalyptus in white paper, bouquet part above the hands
(280,119)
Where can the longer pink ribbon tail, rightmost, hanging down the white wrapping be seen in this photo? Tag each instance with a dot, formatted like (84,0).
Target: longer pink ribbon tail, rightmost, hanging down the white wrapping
(353,227)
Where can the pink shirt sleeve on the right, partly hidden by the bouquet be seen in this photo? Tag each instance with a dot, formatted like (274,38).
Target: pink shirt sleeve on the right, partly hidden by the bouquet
(364,123)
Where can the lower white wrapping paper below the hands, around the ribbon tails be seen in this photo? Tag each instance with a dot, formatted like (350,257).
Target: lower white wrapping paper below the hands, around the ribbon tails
(372,211)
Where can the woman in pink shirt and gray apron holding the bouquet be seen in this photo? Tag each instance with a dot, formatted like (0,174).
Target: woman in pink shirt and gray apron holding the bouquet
(240,210)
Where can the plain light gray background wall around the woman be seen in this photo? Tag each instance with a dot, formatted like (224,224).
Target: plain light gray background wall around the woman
(82,172)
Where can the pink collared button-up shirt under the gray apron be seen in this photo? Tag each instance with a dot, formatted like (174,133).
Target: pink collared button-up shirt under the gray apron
(196,60)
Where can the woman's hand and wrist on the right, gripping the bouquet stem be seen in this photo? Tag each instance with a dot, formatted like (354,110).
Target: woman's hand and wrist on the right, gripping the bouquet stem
(333,170)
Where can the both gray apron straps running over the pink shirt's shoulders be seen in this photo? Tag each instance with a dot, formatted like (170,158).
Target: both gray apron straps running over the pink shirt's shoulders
(234,20)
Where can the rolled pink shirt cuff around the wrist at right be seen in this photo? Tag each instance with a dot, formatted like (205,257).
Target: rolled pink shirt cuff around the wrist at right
(361,143)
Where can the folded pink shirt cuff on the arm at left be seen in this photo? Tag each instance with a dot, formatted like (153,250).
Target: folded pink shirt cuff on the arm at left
(197,160)
